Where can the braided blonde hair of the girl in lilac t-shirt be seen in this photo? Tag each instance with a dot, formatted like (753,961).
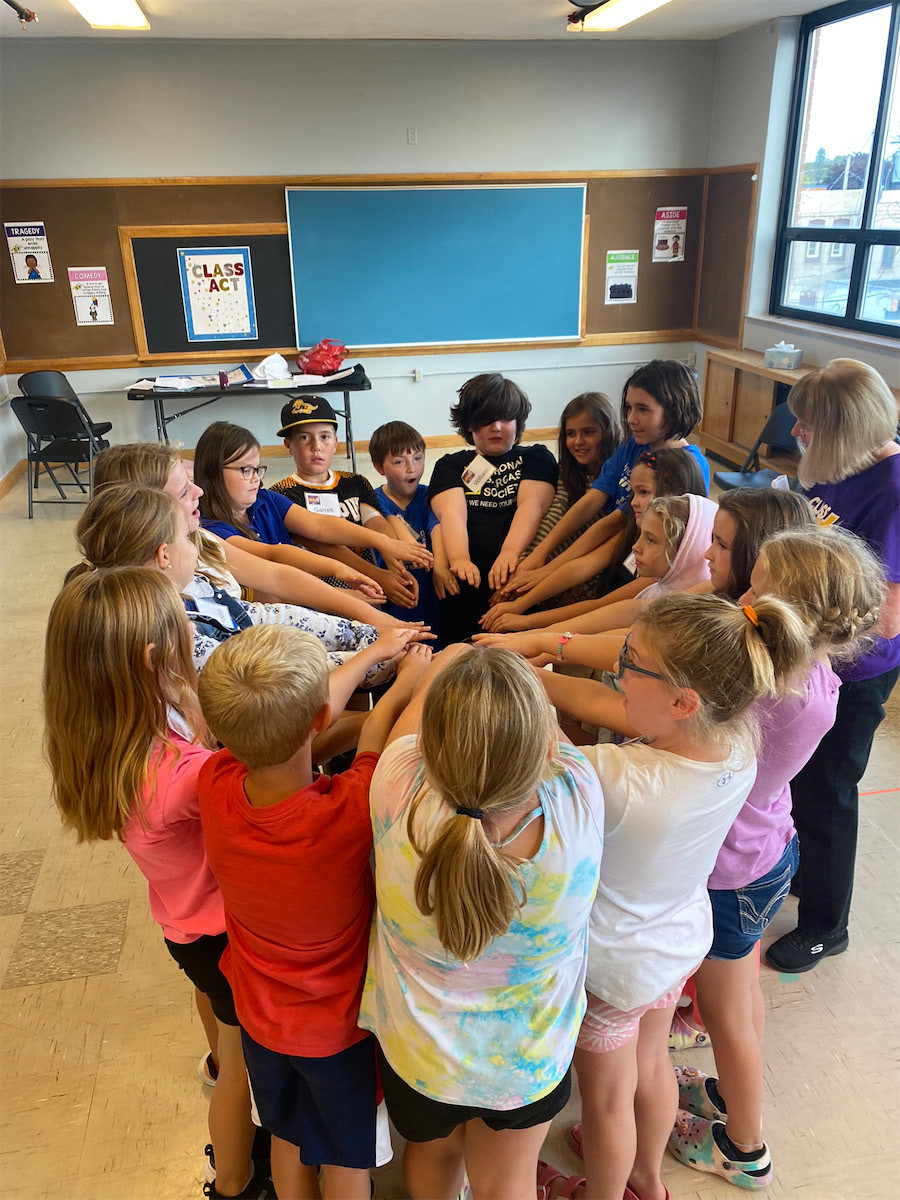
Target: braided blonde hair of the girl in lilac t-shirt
(833,581)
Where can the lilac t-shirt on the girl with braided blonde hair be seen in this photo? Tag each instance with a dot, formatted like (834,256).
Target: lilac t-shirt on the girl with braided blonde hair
(791,731)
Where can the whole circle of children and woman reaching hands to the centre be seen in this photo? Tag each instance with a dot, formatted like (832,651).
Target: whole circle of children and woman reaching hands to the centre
(539,899)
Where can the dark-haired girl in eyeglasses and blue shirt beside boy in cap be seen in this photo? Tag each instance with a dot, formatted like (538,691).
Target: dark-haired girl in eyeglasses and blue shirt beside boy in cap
(237,508)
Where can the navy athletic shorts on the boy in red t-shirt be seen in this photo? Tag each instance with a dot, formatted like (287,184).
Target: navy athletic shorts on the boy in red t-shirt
(327,1107)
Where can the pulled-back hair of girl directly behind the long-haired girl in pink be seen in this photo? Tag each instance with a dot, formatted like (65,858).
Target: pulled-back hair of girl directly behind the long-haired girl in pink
(124,526)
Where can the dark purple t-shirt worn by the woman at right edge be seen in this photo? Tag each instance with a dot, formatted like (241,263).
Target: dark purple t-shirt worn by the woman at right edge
(869,506)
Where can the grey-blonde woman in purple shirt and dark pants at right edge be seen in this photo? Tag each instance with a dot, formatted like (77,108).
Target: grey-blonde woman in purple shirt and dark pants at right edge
(847,422)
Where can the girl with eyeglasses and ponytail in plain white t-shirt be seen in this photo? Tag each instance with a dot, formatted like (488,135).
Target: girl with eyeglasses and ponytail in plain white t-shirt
(691,671)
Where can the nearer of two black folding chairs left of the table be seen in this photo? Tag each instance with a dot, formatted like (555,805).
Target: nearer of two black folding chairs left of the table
(58,436)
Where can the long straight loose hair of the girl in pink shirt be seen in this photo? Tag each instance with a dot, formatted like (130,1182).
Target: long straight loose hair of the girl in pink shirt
(118,652)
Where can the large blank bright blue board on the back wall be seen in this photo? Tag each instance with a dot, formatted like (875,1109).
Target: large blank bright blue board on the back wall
(439,266)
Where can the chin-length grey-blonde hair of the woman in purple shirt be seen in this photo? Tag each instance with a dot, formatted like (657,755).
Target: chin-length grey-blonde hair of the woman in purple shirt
(851,412)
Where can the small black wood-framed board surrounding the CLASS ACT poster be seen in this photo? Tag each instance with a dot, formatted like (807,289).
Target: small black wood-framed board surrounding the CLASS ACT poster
(157,271)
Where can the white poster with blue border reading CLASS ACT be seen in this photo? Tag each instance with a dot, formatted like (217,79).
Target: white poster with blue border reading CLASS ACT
(218,292)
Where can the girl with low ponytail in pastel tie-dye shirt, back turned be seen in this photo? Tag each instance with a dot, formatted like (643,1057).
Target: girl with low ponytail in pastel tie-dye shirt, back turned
(488,836)
